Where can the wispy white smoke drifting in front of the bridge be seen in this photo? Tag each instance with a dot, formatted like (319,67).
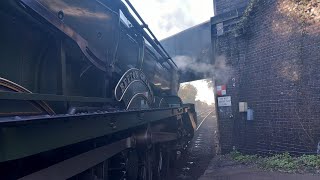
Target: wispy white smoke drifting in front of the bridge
(220,71)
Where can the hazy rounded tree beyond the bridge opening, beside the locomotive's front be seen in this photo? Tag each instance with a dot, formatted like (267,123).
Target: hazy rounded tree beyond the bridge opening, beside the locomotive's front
(188,93)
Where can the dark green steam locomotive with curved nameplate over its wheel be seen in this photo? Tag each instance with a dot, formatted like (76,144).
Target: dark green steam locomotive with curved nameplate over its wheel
(86,92)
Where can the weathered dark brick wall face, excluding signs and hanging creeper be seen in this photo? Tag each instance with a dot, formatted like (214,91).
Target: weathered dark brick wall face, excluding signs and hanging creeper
(276,70)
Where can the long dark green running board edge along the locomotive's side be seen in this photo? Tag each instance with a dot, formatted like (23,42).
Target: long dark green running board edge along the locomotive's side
(26,136)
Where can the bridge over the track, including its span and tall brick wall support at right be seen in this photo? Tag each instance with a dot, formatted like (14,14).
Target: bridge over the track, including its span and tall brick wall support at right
(272,52)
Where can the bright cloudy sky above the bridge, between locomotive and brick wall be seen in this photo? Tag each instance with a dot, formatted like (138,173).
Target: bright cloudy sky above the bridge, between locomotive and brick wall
(168,17)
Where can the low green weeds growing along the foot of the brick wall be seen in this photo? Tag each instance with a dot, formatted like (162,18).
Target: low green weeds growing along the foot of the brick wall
(281,162)
